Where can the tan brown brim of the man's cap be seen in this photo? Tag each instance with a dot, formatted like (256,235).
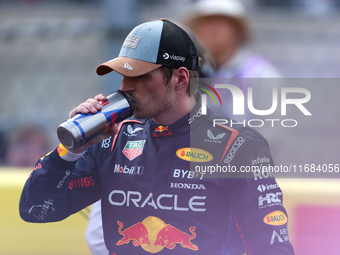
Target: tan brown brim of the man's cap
(127,67)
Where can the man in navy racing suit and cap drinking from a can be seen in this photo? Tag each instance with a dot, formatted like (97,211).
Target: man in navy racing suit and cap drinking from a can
(156,196)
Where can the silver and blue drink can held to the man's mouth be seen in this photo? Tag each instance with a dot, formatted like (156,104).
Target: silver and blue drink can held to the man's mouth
(81,128)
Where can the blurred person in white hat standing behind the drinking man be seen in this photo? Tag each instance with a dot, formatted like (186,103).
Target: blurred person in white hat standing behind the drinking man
(223,29)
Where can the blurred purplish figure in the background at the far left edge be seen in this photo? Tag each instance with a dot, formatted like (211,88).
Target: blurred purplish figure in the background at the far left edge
(25,145)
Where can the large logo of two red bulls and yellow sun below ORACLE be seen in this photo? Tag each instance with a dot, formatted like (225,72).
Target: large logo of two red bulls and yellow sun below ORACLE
(153,235)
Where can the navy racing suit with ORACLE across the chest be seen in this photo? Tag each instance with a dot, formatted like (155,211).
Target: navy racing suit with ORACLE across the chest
(175,189)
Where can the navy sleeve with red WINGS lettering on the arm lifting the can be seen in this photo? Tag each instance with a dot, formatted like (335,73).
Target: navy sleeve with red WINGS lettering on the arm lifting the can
(58,188)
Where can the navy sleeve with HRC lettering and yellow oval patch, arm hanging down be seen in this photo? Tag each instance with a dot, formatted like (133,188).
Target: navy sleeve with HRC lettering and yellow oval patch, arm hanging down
(257,213)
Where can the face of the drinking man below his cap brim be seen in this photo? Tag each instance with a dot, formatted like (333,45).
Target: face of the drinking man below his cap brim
(150,94)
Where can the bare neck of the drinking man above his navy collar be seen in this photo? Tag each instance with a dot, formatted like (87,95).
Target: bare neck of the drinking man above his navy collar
(175,113)
